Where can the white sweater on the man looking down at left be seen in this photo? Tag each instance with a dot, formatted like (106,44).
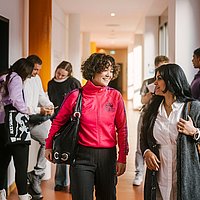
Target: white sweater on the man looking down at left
(34,95)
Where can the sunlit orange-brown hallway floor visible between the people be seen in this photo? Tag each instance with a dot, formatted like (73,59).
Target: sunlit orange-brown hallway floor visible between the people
(125,190)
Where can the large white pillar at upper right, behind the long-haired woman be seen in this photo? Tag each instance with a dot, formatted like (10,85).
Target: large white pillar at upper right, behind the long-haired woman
(184,27)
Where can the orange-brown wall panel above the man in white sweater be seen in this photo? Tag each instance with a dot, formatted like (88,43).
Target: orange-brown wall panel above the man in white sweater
(40,29)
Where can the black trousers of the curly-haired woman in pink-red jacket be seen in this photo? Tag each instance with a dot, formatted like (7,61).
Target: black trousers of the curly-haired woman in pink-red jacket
(94,168)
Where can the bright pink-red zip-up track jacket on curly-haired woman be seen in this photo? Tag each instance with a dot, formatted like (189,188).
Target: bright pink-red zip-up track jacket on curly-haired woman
(103,114)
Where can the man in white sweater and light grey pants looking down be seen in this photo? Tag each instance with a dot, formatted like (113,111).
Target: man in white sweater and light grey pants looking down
(38,102)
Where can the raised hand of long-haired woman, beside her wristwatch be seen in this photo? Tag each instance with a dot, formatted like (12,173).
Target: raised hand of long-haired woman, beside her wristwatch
(186,127)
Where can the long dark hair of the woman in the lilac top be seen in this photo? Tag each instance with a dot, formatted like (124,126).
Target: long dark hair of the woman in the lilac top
(23,67)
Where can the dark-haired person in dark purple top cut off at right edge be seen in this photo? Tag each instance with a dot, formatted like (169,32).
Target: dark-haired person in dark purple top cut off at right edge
(195,85)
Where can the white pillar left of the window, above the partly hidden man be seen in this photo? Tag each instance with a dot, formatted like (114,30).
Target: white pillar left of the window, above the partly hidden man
(150,45)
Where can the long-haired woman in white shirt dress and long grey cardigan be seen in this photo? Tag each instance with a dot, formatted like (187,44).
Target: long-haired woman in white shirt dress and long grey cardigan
(169,137)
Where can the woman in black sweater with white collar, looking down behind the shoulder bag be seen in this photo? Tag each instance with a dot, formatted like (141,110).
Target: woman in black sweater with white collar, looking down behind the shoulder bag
(62,83)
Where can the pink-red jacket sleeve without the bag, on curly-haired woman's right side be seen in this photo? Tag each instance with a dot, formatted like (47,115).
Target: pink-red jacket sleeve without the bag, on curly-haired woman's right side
(121,124)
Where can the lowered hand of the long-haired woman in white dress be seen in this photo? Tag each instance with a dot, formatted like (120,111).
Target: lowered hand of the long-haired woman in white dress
(152,161)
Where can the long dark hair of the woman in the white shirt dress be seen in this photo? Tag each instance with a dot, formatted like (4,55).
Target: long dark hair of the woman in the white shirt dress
(176,82)
